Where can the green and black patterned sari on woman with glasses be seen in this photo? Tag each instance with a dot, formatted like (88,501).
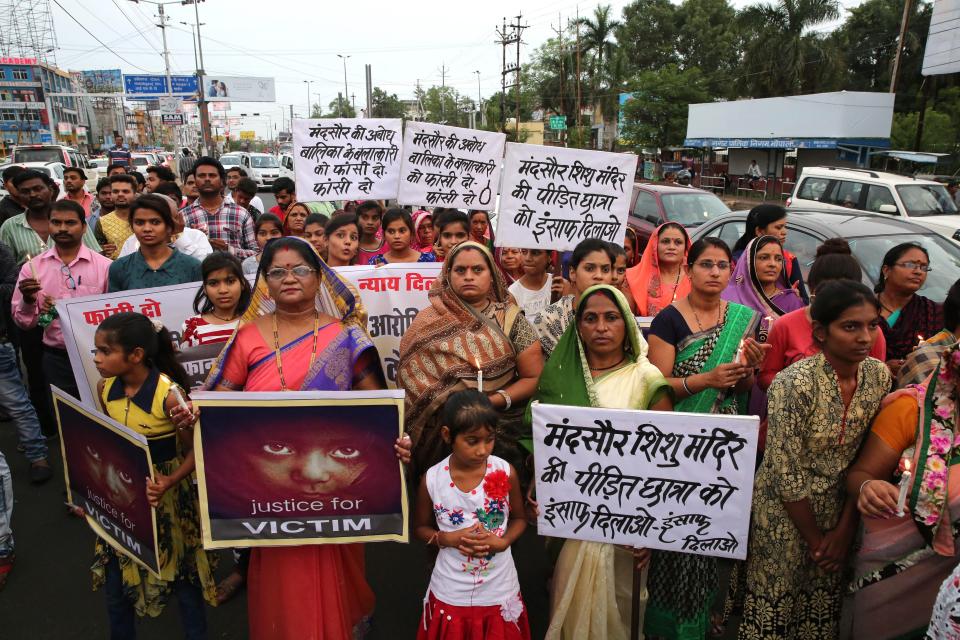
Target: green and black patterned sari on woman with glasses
(683,586)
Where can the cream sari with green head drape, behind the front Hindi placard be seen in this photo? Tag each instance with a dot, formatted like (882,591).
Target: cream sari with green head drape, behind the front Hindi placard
(592,584)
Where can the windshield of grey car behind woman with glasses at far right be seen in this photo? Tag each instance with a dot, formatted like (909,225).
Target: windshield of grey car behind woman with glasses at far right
(944,259)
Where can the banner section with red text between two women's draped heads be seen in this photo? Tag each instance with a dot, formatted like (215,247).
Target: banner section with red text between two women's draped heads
(392,296)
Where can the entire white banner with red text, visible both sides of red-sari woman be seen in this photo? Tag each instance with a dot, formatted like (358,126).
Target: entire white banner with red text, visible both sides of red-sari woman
(392,295)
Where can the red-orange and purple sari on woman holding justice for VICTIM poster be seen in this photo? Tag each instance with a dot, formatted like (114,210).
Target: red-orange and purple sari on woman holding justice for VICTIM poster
(315,591)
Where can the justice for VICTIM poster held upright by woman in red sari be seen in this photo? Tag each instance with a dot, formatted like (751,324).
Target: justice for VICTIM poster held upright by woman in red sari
(318,468)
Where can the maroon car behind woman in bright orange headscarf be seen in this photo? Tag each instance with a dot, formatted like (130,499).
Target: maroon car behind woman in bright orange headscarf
(654,204)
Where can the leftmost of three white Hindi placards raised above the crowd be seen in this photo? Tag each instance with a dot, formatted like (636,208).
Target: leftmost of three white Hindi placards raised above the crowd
(347,158)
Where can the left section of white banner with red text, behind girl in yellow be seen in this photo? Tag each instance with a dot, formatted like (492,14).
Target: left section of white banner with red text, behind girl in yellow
(80,317)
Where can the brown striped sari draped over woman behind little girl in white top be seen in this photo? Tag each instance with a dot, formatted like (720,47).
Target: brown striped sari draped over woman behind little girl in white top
(441,352)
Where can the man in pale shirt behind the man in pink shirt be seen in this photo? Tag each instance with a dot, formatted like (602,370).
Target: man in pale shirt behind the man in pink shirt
(28,234)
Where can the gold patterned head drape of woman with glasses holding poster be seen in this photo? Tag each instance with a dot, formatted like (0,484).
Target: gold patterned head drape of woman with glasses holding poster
(335,298)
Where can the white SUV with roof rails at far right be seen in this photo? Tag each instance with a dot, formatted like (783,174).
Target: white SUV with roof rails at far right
(923,202)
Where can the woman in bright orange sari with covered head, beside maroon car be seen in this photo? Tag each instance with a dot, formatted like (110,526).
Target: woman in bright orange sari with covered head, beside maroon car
(660,278)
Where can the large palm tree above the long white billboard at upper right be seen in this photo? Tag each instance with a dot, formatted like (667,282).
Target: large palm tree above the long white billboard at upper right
(783,45)
